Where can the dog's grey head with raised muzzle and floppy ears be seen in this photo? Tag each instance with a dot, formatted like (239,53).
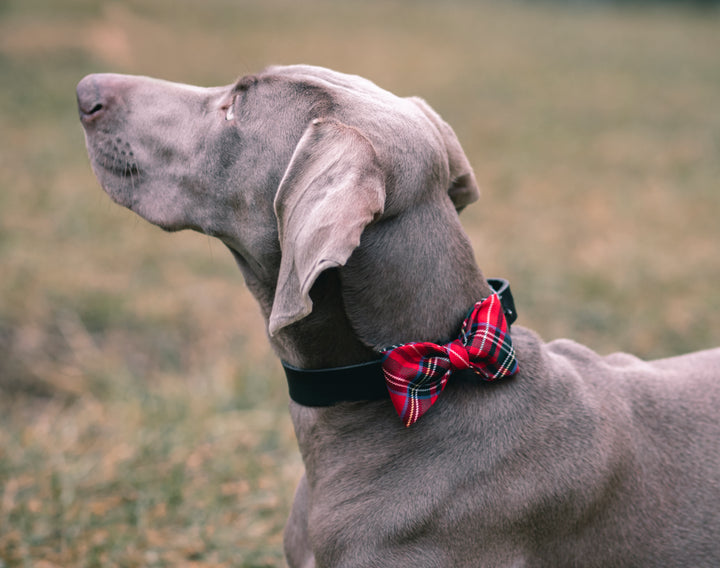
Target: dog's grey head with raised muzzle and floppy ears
(291,168)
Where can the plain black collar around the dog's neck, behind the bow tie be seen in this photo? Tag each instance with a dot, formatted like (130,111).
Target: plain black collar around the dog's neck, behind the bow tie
(363,382)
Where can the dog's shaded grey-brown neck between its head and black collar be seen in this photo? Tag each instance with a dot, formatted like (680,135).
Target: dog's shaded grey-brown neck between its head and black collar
(389,292)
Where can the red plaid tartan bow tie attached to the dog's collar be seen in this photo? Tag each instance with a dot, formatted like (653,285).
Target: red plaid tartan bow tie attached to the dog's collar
(416,373)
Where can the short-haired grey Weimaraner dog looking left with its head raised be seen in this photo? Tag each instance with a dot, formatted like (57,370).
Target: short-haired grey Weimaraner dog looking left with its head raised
(339,202)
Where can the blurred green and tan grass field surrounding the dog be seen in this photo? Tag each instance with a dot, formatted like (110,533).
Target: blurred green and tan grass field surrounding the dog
(142,416)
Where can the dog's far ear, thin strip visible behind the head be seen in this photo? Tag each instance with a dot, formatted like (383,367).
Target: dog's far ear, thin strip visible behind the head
(463,188)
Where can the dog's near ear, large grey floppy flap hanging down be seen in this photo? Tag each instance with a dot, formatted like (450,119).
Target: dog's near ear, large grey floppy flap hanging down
(332,188)
